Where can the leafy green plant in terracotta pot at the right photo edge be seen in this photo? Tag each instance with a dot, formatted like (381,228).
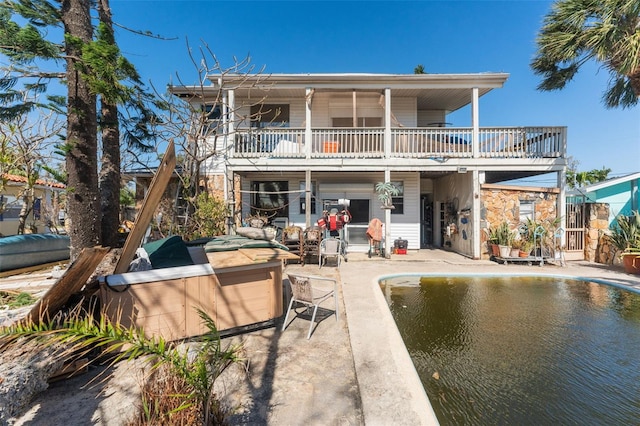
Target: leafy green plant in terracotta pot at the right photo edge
(625,237)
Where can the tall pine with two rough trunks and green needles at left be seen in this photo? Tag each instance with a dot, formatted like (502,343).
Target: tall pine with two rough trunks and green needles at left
(91,64)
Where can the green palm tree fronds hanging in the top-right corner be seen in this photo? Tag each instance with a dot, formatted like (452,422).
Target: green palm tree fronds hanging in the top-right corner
(577,31)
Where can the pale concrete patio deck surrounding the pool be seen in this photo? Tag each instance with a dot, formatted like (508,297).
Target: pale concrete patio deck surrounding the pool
(352,372)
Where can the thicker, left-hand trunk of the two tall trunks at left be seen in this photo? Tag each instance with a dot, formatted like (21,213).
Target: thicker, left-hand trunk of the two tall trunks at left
(83,203)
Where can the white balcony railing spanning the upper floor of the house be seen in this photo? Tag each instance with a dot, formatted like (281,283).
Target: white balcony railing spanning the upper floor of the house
(415,143)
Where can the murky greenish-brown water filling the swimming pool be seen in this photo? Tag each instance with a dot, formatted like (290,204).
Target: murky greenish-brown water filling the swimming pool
(521,350)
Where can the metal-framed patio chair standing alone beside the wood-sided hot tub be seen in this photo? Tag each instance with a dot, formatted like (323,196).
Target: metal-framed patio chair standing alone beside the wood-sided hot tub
(310,291)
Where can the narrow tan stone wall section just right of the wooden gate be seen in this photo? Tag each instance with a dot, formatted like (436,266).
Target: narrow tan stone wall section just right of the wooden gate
(597,247)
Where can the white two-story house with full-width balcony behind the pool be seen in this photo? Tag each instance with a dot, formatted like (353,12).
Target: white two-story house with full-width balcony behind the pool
(292,145)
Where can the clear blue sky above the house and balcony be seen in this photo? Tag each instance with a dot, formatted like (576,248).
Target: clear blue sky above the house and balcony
(390,37)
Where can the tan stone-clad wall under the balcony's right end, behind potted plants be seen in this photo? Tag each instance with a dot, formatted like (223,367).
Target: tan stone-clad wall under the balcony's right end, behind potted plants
(500,203)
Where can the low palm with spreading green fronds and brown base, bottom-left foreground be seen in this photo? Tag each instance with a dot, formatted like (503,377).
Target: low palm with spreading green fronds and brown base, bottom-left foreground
(193,370)
